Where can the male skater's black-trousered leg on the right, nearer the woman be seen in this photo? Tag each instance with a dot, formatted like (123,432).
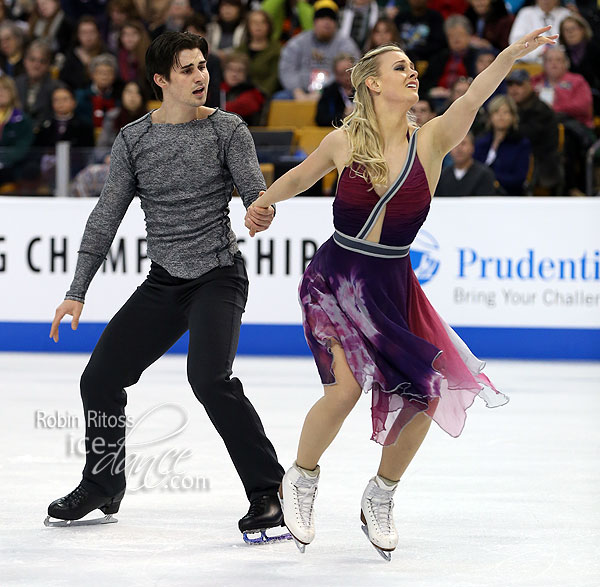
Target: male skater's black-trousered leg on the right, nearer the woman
(215,314)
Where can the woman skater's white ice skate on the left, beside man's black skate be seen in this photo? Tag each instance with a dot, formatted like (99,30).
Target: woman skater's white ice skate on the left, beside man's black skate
(299,492)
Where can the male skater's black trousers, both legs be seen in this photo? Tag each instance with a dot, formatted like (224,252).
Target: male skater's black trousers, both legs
(160,311)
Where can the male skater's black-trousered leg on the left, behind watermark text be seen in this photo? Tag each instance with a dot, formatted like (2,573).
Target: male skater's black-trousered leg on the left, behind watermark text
(147,325)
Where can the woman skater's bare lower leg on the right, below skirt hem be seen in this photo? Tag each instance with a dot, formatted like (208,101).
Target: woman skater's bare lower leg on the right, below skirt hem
(396,457)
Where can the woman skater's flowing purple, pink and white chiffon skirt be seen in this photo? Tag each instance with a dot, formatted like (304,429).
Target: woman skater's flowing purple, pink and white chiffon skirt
(395,343)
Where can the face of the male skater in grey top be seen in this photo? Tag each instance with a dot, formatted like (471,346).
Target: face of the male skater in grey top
(188,83)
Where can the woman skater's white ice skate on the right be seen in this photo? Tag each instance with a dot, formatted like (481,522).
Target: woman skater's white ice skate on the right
(377,515)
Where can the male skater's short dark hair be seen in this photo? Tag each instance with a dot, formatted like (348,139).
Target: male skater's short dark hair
(163,55)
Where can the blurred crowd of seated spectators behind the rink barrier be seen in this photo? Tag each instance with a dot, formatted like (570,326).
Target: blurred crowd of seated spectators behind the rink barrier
(74,71)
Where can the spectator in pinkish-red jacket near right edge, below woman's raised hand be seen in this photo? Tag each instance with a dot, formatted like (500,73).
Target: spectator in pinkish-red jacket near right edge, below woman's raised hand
(565,92)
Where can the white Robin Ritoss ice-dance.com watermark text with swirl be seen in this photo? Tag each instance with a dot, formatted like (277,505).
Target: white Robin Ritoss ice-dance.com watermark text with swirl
(161,470)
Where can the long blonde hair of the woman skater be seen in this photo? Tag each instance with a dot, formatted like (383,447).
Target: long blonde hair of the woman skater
(366,148)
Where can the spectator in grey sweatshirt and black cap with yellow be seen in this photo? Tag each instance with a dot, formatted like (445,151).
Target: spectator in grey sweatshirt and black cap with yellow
(306,63)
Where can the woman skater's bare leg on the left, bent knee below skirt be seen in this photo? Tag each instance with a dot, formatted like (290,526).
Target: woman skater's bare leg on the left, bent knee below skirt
(326,417)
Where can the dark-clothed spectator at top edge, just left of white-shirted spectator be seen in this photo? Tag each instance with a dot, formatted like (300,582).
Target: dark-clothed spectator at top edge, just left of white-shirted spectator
(491,23)
